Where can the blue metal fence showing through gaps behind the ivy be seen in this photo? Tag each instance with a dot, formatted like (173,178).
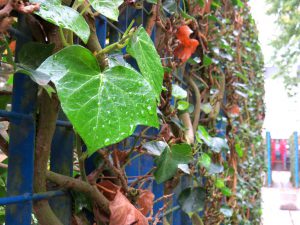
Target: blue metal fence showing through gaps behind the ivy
(22,119)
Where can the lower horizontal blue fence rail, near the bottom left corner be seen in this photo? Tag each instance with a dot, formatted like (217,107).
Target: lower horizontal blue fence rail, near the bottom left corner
(30,197)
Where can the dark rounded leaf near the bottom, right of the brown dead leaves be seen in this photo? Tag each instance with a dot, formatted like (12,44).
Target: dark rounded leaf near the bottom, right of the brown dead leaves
(192,200)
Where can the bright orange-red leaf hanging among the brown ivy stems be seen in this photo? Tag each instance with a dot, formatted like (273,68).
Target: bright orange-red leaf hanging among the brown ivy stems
(187,46)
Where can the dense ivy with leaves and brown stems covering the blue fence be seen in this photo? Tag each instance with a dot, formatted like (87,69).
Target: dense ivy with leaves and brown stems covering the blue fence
(200,83)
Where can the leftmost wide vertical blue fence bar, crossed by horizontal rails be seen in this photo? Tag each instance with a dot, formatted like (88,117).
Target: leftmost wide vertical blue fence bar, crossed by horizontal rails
(21,144)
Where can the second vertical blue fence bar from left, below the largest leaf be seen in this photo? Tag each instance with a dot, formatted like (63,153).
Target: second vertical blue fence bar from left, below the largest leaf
(61,161)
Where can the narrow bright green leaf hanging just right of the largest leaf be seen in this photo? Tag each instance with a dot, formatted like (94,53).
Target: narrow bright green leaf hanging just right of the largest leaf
(143,50)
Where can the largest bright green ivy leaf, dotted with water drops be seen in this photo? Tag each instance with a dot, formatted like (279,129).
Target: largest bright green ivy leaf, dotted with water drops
(104,107)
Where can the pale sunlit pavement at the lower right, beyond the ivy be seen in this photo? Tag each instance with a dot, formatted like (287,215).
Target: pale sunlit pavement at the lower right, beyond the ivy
(281,203)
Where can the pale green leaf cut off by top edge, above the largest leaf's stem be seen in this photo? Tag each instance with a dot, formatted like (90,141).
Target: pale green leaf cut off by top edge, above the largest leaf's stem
(108,8)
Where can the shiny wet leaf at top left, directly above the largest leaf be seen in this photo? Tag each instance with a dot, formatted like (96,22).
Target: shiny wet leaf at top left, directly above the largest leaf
(64,17)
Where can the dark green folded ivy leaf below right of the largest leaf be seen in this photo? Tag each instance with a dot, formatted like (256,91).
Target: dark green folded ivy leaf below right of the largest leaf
(167,163)
